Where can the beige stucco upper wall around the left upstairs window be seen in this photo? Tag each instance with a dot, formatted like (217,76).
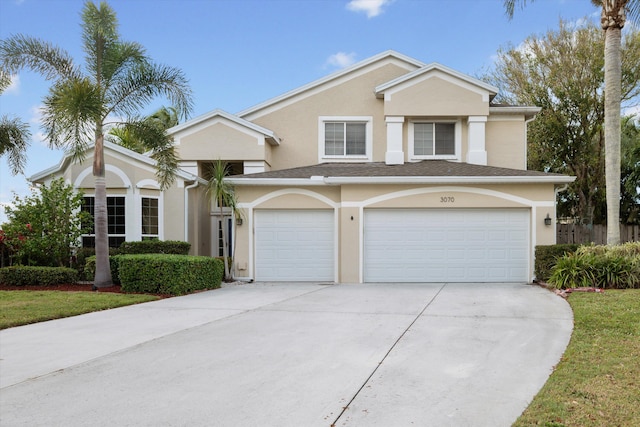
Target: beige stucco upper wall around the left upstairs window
(297,124)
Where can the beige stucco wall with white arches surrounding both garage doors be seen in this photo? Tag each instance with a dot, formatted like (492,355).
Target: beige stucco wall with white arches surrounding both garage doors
(350,201)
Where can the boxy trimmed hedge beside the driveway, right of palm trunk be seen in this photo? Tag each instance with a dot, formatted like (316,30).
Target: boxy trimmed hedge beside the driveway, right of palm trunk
(169,274)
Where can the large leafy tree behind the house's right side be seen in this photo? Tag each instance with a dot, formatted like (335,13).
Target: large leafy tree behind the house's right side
(563,72)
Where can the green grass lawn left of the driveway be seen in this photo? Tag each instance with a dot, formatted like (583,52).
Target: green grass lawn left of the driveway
(24,307)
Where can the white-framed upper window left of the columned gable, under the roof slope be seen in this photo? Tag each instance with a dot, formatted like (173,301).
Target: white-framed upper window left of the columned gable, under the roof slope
(345,139)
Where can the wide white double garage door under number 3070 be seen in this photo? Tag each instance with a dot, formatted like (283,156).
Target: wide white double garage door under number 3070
(465,245)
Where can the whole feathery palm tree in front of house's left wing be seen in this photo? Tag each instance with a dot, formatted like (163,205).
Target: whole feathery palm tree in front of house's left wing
(118,79)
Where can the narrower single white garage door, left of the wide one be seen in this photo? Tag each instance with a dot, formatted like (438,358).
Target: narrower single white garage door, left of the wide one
(294,245)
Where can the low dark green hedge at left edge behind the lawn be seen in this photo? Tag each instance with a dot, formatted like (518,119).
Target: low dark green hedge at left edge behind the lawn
(37,276)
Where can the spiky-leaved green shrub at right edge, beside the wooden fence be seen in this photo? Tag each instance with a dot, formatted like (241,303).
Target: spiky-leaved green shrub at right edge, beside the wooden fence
(601,266)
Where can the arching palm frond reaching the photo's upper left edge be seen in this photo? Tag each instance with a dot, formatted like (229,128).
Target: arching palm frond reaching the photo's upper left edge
(20,51)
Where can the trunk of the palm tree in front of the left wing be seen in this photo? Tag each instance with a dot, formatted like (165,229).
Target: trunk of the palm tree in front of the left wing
(102,277)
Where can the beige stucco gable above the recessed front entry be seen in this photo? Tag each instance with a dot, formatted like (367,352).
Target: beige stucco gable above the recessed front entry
(221,141)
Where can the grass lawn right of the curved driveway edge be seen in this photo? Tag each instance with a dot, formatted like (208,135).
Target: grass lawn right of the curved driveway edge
(597,382)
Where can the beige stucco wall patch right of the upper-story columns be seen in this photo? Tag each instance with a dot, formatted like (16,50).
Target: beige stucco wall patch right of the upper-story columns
(506,142)
